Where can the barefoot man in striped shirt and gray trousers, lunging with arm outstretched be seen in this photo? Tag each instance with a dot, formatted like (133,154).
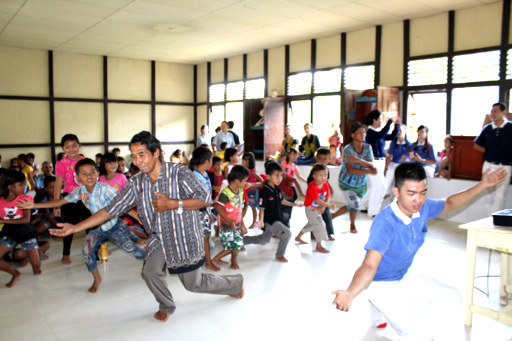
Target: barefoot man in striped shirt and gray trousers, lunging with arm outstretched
(168,198)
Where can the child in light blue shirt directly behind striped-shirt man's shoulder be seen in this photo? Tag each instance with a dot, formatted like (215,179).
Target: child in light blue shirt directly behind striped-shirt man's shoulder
(201,161)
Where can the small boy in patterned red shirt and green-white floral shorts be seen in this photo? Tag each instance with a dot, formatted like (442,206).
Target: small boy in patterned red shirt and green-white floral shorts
(229,208)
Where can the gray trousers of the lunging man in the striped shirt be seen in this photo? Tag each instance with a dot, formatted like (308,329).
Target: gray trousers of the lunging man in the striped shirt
(154,272)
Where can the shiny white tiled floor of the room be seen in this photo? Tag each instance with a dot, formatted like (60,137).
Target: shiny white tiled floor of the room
(282,301)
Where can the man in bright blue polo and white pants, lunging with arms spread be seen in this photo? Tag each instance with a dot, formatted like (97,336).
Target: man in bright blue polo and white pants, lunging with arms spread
(413,306)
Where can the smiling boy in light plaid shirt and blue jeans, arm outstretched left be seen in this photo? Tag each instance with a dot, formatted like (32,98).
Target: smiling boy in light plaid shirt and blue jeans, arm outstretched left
(95,196)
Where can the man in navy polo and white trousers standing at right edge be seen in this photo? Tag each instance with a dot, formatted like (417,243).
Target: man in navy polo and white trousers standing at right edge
(495,141)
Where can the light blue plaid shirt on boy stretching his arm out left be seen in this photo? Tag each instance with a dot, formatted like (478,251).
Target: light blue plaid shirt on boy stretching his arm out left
(101,196)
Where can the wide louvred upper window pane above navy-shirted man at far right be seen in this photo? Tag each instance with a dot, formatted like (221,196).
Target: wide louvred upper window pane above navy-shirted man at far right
(476,67)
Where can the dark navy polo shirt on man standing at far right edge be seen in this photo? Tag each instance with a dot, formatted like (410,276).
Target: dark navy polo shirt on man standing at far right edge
(497,142)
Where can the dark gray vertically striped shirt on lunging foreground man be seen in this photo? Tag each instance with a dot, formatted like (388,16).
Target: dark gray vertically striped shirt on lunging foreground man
(179,236)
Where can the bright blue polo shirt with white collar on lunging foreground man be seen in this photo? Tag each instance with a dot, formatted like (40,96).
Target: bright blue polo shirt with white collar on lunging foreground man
(398,238)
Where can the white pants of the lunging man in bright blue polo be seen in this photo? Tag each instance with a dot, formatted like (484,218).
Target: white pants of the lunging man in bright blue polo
(415,306)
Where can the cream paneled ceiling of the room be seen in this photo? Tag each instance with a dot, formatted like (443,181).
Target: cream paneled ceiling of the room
(195,31)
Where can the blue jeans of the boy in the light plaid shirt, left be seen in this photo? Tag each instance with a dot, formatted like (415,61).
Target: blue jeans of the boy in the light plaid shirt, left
(119,235)
